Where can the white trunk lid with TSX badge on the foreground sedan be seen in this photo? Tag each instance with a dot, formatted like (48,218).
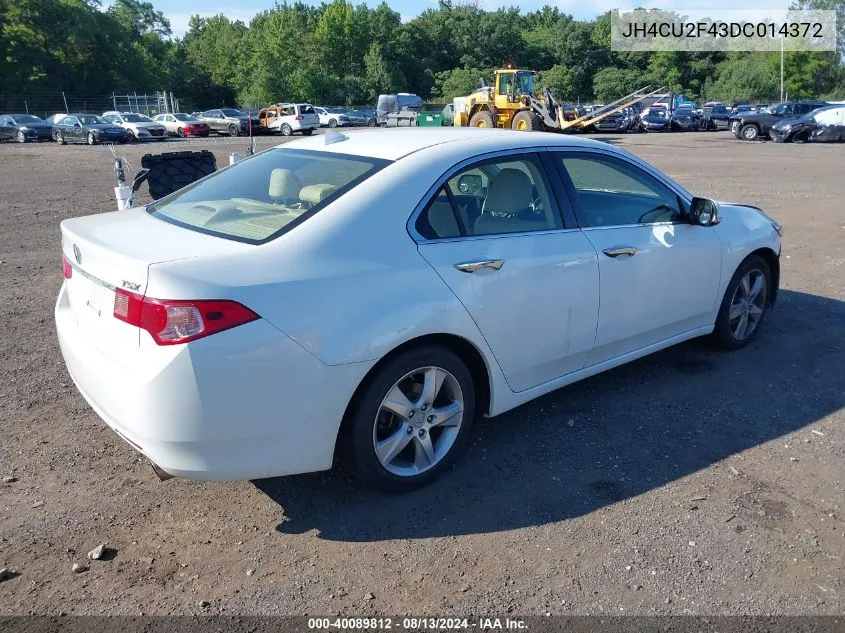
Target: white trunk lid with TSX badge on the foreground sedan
(113,251)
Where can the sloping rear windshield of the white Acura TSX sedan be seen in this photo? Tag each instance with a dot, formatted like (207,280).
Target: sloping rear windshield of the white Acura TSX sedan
(258,199)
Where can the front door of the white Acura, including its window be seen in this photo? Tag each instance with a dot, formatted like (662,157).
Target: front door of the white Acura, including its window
(659,274)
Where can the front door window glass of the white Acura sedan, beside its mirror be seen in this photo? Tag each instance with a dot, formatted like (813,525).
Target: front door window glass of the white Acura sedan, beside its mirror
(613,192)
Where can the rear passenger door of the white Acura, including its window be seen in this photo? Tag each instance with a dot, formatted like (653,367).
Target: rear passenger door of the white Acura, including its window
(494,233)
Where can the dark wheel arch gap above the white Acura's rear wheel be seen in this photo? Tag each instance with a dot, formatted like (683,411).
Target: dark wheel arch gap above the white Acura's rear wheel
(461,346)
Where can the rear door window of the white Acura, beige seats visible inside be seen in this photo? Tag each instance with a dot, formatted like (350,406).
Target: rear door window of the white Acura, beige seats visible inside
(493,197)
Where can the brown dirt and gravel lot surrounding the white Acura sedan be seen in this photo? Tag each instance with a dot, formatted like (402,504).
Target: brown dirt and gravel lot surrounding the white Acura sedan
(692,481)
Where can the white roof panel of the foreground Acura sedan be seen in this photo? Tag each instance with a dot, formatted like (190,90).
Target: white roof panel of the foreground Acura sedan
(393,144)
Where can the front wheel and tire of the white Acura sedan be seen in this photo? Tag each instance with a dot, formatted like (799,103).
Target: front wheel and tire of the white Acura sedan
(744,305)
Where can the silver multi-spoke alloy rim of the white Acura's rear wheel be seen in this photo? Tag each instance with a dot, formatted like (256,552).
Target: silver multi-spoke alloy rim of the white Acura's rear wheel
(418,421)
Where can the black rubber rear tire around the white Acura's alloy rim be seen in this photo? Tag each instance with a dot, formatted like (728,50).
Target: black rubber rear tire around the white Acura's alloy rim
(359,425)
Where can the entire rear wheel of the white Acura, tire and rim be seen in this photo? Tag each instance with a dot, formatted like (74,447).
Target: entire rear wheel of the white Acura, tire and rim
(411,419)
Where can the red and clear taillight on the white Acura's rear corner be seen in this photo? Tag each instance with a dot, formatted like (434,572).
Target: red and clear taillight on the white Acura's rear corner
(175,322)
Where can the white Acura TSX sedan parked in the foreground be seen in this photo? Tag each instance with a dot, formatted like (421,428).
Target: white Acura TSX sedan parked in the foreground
(374,294)
